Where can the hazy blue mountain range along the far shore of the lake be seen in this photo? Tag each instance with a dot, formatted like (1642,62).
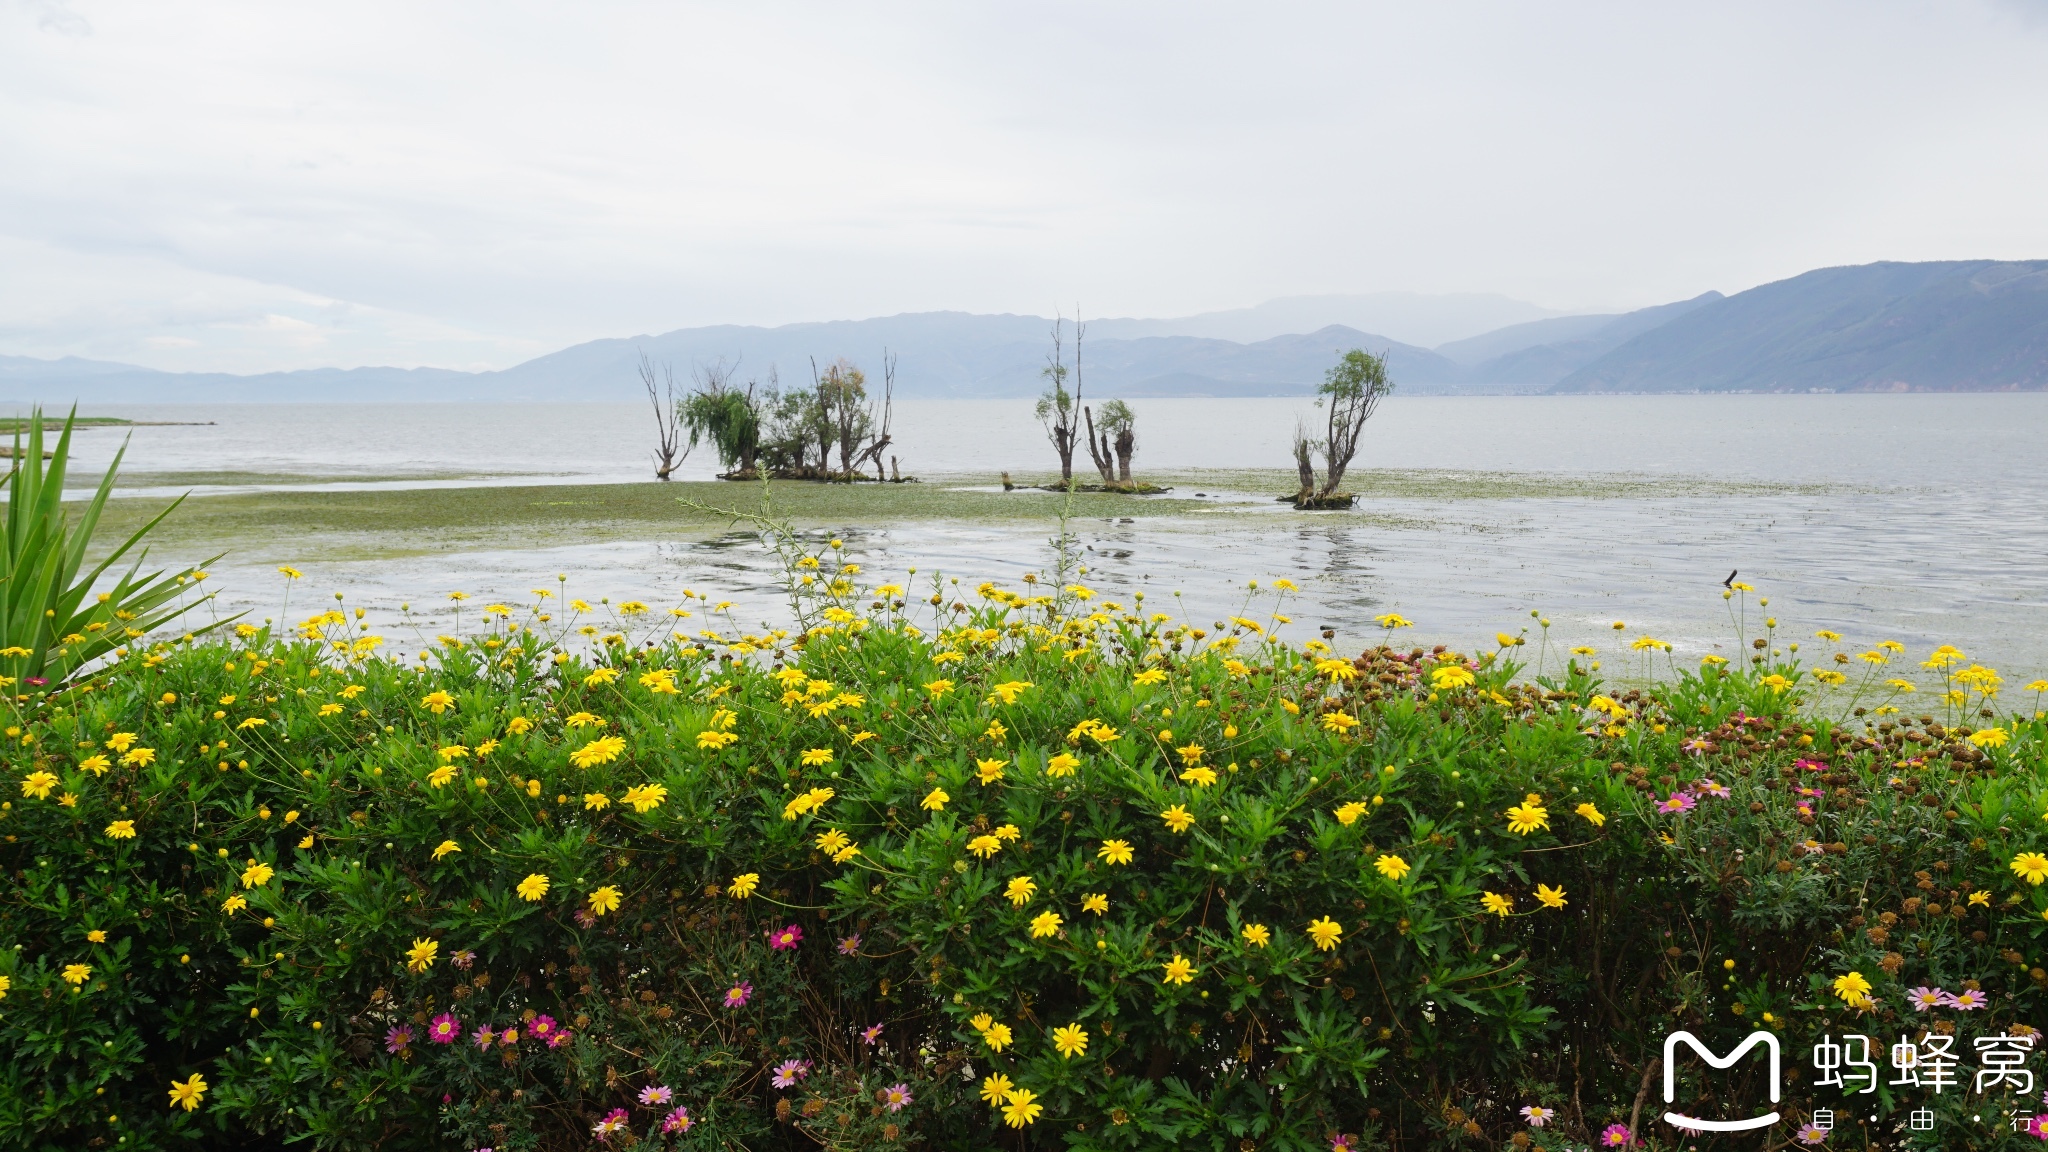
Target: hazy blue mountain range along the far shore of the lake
(1934,327)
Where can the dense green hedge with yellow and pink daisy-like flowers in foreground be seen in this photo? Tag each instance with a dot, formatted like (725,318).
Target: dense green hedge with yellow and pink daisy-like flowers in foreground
(1041,870)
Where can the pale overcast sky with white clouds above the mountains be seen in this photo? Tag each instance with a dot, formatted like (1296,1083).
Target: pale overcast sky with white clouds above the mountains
(261,186)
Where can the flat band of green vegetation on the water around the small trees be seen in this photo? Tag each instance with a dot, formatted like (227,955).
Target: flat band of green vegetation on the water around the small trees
(413,522)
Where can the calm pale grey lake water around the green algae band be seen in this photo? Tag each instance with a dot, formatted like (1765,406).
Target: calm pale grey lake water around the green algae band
(1912,518)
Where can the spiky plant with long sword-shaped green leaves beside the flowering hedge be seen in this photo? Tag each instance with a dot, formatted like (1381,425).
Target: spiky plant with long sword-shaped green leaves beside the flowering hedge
(52,622)
